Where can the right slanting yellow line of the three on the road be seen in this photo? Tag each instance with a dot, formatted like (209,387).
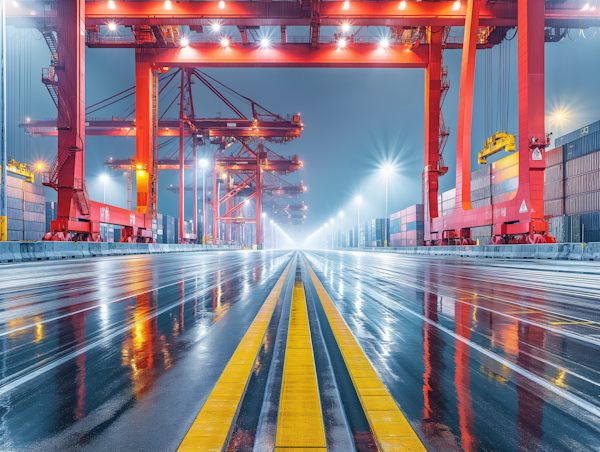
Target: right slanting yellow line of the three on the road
(391,430)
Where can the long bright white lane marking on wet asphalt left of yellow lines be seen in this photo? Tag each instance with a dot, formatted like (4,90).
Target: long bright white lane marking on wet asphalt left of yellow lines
(36,373)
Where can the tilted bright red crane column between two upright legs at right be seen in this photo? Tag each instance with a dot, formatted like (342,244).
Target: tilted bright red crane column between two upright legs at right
(465,106)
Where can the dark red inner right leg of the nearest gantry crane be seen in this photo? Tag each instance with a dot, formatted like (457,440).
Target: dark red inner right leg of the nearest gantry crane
(433,91)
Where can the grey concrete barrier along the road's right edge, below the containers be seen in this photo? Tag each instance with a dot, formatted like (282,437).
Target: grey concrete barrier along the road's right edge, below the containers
(555,251)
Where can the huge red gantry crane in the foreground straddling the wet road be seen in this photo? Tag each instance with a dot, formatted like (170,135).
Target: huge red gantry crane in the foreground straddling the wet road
(418,36)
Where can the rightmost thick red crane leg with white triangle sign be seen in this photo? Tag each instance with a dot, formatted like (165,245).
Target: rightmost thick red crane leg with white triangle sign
(531,111)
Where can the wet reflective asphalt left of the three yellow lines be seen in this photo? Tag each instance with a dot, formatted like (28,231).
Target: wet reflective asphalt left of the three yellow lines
(119,354)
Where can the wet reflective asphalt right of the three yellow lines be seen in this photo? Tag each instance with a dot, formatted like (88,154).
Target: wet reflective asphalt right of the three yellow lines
(481,355)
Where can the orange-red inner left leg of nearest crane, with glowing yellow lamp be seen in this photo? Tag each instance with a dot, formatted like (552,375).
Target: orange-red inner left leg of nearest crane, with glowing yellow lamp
(144,135)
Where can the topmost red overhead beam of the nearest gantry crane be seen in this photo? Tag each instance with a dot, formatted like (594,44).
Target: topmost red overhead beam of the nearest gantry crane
(436,14)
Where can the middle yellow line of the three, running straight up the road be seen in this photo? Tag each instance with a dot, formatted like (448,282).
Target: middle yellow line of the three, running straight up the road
(300,421)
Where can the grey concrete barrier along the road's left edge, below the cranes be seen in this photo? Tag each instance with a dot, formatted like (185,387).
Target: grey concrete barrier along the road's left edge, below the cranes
(38,251)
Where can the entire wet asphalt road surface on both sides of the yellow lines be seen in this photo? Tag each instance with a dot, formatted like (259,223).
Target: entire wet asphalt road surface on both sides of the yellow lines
(120,353)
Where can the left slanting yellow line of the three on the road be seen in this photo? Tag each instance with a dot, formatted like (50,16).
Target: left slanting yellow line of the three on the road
(212,428)
